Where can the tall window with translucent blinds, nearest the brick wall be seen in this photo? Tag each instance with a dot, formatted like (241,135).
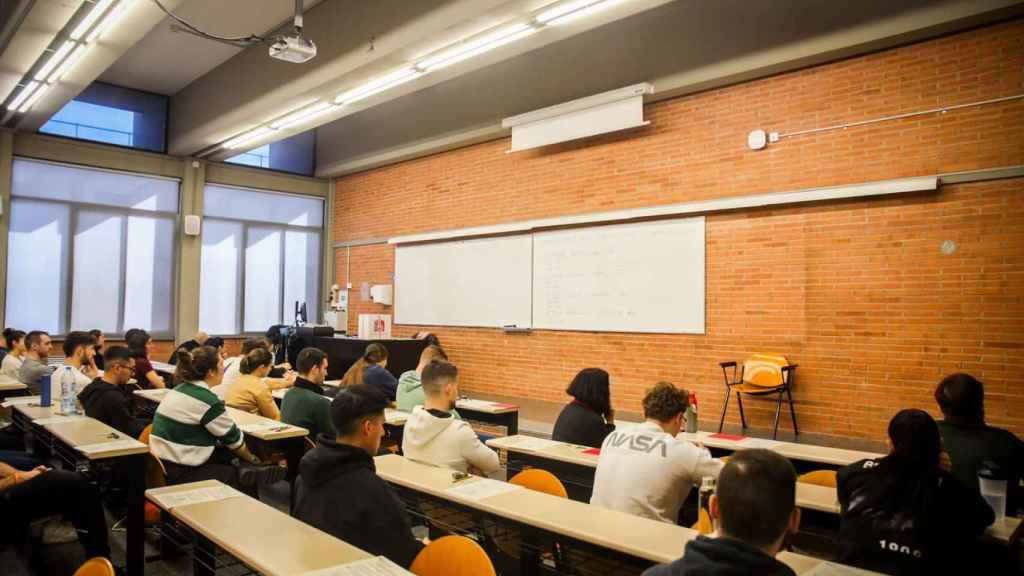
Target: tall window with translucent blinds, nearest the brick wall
(262,255)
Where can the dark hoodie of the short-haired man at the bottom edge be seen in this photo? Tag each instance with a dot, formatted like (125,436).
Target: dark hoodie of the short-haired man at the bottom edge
(721,557)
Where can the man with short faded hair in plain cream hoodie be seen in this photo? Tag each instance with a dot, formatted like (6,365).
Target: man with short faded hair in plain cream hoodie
(435,436)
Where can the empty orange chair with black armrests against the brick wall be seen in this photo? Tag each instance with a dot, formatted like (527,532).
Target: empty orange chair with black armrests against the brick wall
(761,375)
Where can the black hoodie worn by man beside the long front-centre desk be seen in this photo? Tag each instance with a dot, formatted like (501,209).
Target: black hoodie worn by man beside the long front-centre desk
(340,493)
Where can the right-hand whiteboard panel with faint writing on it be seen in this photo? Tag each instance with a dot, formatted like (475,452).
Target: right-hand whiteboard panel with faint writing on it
(626,278)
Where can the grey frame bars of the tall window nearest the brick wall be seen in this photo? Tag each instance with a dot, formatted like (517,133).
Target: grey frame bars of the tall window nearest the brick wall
(244,245)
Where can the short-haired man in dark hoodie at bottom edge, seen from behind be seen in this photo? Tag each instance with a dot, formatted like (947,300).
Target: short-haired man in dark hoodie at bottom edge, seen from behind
(754,510)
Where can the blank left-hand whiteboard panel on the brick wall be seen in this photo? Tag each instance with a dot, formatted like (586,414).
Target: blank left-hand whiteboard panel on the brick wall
(484,282)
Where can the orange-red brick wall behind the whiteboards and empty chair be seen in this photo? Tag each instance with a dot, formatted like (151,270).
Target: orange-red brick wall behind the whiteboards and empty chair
(857,293)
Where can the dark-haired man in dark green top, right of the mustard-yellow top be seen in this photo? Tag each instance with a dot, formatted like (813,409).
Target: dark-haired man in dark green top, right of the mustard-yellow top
(305,405)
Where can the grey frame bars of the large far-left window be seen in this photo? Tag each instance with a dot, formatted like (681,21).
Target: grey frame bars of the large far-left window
(74,209)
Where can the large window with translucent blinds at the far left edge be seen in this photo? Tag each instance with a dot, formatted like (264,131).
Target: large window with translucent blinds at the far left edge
(91,249)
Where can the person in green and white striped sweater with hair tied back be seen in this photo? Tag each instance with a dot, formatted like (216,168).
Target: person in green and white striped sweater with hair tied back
(194,435)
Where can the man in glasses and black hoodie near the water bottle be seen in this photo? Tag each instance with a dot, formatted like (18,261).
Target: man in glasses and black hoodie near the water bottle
(105,398)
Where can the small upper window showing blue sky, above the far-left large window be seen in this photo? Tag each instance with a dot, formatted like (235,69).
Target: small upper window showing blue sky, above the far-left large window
(109,114)
